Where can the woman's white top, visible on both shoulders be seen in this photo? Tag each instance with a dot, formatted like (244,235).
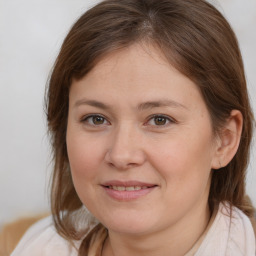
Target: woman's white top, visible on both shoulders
(226,237)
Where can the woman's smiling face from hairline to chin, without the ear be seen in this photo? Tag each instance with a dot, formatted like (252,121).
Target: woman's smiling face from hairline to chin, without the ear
(140,143)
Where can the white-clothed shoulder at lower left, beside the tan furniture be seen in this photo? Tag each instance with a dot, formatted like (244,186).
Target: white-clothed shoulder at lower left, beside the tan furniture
(42,239)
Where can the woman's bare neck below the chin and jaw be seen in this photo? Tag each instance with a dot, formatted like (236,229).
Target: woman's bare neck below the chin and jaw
(175,240)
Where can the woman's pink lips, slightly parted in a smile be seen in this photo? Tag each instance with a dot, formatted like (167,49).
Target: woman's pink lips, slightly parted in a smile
(125,195)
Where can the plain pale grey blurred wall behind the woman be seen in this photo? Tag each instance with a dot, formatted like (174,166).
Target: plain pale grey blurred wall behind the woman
(31,33)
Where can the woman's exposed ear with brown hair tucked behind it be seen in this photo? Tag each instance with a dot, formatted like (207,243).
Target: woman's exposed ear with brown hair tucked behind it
(228,140)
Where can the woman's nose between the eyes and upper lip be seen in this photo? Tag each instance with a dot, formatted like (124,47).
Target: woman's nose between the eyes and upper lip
(126,149)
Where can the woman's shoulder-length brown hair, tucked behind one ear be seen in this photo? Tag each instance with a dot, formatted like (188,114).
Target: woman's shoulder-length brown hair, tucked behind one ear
(196,39)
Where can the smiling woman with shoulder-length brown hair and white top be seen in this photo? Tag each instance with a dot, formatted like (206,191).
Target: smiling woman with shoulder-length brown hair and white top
(151,127)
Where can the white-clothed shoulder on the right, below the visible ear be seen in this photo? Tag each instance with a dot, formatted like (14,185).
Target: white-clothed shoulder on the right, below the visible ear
(231,234)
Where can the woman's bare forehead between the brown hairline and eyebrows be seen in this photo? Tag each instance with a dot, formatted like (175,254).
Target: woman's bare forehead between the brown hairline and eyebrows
(139,73)
